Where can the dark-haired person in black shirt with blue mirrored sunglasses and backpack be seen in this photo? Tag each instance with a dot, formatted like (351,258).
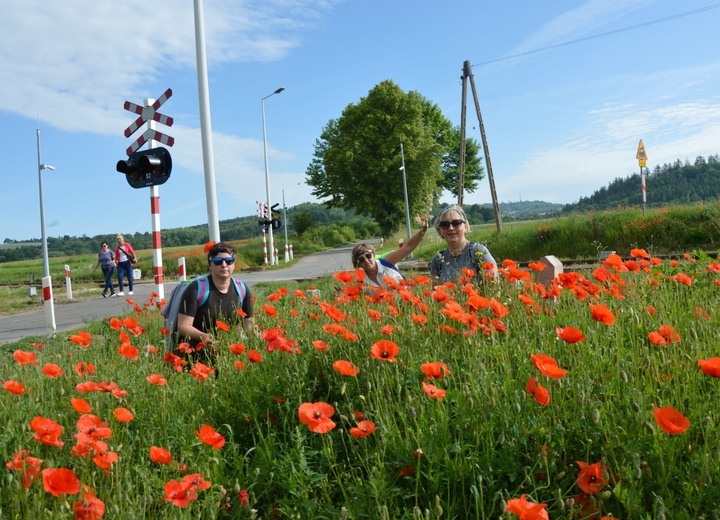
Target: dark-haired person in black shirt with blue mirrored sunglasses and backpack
(196,323)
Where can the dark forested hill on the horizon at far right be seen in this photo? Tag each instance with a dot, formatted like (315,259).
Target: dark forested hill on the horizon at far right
(676,183)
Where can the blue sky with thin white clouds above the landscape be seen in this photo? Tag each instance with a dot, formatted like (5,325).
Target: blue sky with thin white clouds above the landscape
(560,123)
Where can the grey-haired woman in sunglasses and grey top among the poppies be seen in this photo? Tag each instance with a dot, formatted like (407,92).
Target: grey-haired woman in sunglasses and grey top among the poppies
(447,265)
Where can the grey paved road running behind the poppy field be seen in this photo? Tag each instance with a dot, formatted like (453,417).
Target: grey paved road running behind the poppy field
(71,315)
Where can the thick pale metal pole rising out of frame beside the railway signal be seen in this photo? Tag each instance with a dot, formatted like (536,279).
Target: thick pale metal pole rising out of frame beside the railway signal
(205,126)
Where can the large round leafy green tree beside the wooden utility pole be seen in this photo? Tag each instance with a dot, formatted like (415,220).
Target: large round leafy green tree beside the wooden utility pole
(357,158)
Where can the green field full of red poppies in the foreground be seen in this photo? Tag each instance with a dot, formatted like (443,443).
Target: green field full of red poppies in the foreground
(594,396)
